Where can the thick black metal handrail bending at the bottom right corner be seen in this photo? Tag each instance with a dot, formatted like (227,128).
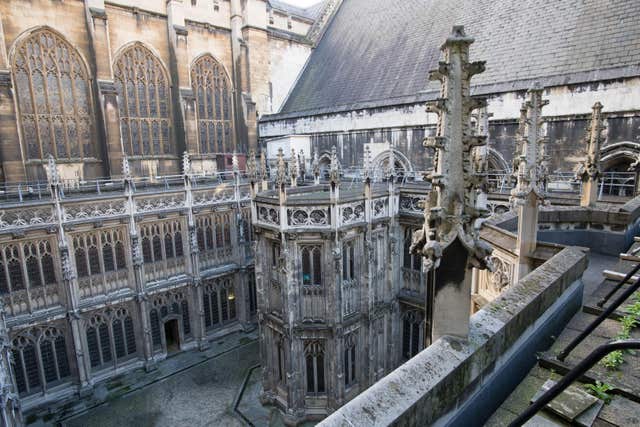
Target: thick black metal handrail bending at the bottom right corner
(580,369)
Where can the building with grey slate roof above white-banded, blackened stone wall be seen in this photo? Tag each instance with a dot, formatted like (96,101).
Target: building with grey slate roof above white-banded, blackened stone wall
(580,52)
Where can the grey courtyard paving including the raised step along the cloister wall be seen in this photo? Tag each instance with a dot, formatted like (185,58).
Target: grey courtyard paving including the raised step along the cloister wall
(188,388)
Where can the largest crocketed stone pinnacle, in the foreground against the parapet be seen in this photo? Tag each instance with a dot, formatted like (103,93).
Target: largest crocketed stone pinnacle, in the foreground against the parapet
(451,208)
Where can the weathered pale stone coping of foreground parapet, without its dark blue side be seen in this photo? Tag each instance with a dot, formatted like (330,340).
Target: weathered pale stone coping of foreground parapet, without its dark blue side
(426,387)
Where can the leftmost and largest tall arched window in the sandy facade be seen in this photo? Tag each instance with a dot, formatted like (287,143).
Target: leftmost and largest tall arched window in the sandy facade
(54,98)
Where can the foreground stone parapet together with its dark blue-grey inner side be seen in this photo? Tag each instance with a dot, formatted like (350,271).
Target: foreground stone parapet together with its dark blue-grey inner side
(463,381)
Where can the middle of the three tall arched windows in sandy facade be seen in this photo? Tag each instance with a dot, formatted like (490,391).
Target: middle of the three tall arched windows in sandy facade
(143,90)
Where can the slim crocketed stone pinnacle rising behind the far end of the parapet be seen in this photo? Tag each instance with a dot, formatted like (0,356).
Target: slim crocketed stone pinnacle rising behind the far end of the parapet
(529,190)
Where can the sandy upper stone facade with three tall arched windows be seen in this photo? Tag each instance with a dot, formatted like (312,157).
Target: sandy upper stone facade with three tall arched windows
(91,81)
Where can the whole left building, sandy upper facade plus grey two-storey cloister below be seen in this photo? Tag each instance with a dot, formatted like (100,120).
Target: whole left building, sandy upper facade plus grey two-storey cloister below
(99,275)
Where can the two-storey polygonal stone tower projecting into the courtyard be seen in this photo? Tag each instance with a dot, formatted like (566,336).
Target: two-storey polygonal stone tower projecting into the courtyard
(340,297)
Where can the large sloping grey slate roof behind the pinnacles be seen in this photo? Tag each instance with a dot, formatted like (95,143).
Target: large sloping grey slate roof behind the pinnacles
(379,52)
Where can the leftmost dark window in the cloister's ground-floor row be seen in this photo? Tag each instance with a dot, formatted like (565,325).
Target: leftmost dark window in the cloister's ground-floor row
(40,359)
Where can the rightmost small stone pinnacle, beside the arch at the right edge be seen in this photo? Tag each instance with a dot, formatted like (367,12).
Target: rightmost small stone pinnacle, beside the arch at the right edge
(591,166)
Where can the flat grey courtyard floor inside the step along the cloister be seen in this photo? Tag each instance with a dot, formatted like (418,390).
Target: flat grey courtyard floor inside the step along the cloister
(201,395)
